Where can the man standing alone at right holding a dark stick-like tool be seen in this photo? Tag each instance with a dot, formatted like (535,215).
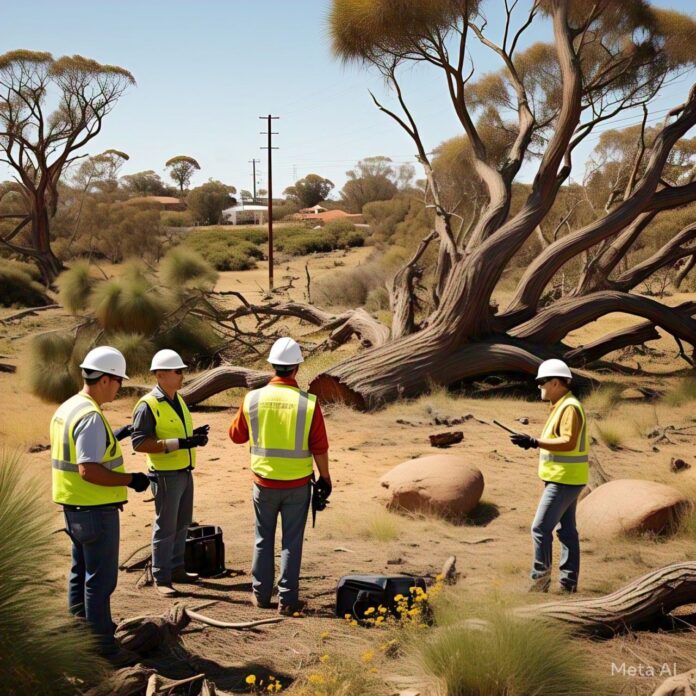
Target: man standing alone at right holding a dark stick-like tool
(564,469)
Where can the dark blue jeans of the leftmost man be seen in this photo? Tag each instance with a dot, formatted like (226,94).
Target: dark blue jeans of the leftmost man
(94,572)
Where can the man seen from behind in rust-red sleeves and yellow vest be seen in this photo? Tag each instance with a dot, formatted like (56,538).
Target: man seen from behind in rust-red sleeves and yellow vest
(285,429)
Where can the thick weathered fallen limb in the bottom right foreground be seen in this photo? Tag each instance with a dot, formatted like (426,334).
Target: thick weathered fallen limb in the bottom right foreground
(640,603)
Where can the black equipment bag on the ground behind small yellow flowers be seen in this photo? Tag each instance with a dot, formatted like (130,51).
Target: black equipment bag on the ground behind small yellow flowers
(357,593)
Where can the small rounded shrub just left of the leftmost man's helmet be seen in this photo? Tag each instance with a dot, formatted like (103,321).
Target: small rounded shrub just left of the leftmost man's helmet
(51,374)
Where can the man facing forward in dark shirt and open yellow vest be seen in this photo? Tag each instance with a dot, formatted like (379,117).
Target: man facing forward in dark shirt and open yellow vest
(163,430)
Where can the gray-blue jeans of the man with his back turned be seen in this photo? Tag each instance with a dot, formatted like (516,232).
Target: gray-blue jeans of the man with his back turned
(292,504)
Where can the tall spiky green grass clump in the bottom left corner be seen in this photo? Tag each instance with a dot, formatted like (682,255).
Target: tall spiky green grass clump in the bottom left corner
(40,643)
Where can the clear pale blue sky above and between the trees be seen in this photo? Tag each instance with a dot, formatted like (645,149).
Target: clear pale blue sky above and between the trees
(206,69)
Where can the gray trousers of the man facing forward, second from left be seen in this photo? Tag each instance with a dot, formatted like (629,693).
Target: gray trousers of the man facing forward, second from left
(173,491)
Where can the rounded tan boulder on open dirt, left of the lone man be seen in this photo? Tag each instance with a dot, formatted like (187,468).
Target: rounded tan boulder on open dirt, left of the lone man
(440,483)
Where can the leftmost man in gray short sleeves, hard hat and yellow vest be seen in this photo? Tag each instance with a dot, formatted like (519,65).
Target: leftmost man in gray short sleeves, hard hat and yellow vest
(90,482)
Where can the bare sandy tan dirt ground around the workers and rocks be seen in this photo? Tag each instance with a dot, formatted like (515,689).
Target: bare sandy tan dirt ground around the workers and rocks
(356,534)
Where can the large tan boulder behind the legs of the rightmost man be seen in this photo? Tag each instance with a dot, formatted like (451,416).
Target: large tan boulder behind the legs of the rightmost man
(630,506)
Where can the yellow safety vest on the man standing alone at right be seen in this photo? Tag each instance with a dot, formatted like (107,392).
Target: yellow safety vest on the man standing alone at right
(570,467)
